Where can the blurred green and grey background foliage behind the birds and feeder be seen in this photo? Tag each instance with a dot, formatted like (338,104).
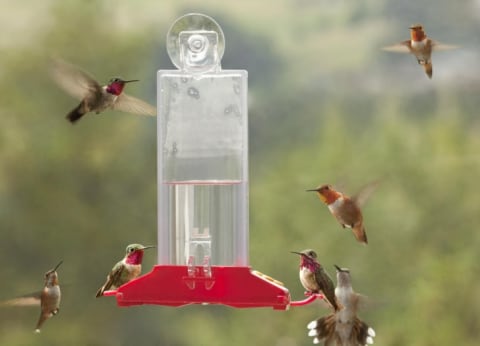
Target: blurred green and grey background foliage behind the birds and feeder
(326,106)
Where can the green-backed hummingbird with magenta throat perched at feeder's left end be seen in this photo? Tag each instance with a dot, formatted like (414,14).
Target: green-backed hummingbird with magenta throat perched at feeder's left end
(126,270)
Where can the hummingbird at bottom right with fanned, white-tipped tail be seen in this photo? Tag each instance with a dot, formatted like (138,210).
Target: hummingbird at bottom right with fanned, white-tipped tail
(342,328)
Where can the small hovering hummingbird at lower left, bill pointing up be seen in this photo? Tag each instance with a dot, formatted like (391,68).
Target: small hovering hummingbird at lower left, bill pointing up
(48,298)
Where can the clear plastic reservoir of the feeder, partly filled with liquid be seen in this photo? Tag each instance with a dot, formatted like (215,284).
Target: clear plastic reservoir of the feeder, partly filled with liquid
(202,164)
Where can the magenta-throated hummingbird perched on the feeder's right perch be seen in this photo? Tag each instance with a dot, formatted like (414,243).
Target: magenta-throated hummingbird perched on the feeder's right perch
(314,278)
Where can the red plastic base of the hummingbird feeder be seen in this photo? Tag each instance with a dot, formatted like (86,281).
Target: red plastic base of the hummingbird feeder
(174,285)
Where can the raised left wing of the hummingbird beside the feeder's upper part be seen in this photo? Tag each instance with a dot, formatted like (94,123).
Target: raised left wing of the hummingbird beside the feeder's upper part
(73,79)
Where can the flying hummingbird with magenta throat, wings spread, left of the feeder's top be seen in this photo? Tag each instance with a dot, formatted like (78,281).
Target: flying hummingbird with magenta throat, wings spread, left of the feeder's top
(93,96)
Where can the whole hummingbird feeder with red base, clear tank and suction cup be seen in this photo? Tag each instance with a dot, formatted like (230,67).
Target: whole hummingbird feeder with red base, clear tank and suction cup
(202,130)
